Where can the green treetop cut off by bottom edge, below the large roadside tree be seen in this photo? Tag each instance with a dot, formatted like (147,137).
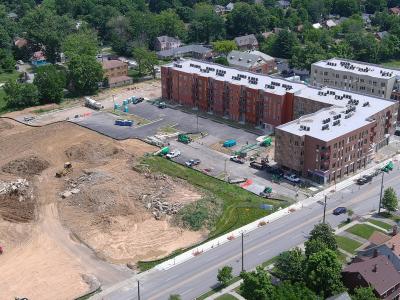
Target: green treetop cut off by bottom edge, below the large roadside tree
(292,291)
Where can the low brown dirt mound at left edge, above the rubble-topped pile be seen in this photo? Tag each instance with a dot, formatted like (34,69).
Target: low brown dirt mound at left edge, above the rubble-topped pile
(28,166)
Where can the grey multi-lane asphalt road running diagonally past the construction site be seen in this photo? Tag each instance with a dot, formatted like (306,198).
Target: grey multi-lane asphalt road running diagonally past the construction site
(198,275)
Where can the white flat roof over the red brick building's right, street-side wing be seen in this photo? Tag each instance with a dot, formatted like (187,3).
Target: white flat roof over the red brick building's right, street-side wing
(348,112)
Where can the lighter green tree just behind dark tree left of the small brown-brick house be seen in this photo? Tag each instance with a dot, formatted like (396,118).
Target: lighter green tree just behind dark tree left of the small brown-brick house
(81,43)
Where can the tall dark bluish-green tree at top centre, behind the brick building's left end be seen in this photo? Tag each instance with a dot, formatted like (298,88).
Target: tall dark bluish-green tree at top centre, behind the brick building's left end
(206,26)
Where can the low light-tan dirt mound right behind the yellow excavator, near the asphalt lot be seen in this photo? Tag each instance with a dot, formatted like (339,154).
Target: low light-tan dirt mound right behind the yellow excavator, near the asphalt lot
(93,152)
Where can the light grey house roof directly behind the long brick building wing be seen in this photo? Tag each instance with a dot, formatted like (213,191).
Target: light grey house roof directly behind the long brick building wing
(247,59)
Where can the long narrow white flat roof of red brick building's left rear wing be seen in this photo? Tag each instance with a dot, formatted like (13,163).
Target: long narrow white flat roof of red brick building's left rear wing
(269,84)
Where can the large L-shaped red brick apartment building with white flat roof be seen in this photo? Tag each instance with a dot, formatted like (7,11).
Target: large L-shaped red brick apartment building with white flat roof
(358,125)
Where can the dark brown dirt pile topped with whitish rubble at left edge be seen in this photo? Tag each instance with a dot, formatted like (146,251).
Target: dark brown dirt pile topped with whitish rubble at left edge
(17,203)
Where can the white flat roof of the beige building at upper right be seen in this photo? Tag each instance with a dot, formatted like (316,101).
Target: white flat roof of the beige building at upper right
(358,68)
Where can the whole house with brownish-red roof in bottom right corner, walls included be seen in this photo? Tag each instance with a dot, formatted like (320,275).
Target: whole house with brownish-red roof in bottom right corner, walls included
(377,272)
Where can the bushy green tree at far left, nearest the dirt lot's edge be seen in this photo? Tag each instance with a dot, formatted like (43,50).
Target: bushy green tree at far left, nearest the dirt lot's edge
(20,95)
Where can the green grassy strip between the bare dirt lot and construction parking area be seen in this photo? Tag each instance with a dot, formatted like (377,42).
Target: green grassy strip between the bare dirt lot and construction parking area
(240,207)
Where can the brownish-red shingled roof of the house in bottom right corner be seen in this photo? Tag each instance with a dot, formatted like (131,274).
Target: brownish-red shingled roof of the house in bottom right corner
(378,271)
